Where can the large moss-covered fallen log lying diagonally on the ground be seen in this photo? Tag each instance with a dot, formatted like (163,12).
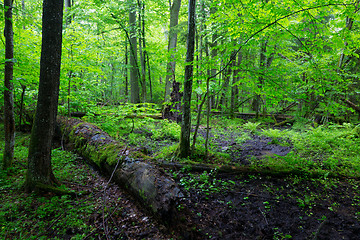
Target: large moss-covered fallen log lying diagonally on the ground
(153,188)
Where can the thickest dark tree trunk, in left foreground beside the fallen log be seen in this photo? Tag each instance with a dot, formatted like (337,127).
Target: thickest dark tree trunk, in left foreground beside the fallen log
(39,173)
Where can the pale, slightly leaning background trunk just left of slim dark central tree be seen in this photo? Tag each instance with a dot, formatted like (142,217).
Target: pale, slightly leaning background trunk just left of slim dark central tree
(170,71)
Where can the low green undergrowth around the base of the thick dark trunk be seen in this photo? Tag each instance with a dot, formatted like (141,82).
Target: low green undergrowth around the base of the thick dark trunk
(29,216)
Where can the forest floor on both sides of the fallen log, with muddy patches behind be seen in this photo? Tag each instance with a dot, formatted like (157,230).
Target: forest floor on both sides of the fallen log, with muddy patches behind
(216,205)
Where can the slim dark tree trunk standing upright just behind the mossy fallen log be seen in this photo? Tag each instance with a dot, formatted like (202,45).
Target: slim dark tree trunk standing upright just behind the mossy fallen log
(184,147)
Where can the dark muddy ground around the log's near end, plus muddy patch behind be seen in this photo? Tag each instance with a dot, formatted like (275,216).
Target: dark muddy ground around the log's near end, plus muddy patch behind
(230,206)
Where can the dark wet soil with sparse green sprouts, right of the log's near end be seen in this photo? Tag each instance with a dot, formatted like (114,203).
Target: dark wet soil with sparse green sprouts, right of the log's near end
(269,208)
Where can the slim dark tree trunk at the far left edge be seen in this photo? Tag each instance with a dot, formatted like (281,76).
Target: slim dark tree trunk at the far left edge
(9,120)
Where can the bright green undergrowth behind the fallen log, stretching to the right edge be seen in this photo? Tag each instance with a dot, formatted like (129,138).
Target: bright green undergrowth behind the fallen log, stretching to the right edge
(327,148)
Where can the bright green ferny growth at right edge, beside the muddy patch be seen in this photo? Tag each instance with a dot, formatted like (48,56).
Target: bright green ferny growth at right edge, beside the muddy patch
(332,148)
